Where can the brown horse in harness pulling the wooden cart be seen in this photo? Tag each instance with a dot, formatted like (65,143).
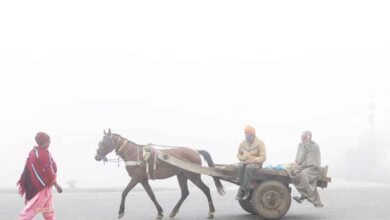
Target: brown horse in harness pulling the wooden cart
(131,153)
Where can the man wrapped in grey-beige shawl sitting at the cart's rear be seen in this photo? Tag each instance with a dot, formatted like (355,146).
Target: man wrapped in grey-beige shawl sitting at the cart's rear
(306,170)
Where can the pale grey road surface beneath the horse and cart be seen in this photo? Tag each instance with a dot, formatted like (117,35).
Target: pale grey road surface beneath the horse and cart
(353,203)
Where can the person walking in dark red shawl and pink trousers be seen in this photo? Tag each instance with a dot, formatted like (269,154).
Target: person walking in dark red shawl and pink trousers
(38,178)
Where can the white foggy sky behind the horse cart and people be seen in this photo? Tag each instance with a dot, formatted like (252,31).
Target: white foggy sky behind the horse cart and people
(195,74)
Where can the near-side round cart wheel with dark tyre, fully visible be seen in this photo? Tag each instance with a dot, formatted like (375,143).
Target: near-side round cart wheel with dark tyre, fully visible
(271,199)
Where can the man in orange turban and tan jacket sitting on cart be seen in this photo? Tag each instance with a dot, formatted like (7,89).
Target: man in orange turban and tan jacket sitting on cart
(251,155)
